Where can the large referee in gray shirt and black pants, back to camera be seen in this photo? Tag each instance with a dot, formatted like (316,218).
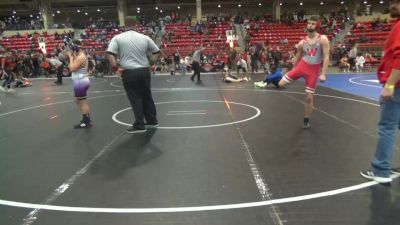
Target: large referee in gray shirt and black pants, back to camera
(133,48)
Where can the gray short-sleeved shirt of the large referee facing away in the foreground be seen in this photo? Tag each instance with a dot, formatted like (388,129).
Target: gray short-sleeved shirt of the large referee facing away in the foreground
(132,48)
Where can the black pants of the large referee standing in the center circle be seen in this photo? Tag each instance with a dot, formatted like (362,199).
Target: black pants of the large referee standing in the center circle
(137,86)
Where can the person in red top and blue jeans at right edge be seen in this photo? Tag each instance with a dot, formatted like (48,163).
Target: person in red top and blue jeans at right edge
(389,75)
